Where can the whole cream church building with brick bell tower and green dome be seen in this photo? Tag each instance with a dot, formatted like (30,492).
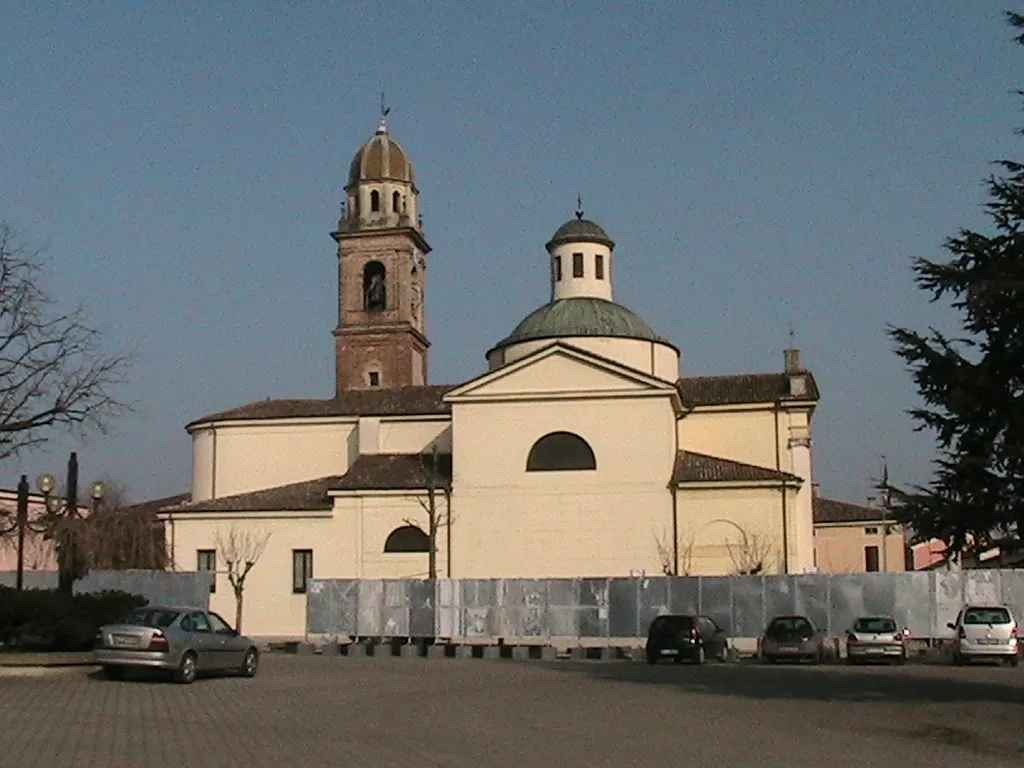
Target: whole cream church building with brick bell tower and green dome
(581,450)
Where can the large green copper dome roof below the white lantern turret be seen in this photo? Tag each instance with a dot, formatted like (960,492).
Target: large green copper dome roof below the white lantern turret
(581,317)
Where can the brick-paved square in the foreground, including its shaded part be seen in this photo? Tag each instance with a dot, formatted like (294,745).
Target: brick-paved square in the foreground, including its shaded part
(360,713)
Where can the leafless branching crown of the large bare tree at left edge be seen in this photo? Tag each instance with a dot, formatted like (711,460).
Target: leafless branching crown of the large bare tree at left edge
(53,373)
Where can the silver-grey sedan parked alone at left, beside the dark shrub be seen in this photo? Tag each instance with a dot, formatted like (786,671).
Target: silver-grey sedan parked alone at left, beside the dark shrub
(183,642)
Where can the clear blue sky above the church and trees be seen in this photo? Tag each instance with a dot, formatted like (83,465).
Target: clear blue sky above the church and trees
(758,164)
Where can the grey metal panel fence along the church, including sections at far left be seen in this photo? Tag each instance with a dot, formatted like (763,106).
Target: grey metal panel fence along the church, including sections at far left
(487,610)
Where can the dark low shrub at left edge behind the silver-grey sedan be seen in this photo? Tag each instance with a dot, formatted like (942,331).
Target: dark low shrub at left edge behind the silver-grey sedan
(47,620)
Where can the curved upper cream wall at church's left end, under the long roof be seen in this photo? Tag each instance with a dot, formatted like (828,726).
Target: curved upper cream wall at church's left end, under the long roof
(249,457)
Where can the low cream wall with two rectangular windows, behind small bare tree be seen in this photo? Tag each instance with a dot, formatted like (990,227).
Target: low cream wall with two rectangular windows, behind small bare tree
(271,609)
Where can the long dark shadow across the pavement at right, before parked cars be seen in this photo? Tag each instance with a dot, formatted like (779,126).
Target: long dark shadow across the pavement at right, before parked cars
(828,684)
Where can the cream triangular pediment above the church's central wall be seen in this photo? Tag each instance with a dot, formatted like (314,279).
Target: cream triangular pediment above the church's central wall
(561,371)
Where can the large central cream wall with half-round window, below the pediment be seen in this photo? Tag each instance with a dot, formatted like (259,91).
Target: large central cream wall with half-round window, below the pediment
(509,523)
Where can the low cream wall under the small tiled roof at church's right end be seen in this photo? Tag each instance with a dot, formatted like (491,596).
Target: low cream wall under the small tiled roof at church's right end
(722,531)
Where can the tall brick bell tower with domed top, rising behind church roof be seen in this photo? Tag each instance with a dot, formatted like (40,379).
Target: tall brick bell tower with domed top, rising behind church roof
(381,335)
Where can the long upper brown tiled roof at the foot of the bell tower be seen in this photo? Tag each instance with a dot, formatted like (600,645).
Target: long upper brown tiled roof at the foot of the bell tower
(399,402)
